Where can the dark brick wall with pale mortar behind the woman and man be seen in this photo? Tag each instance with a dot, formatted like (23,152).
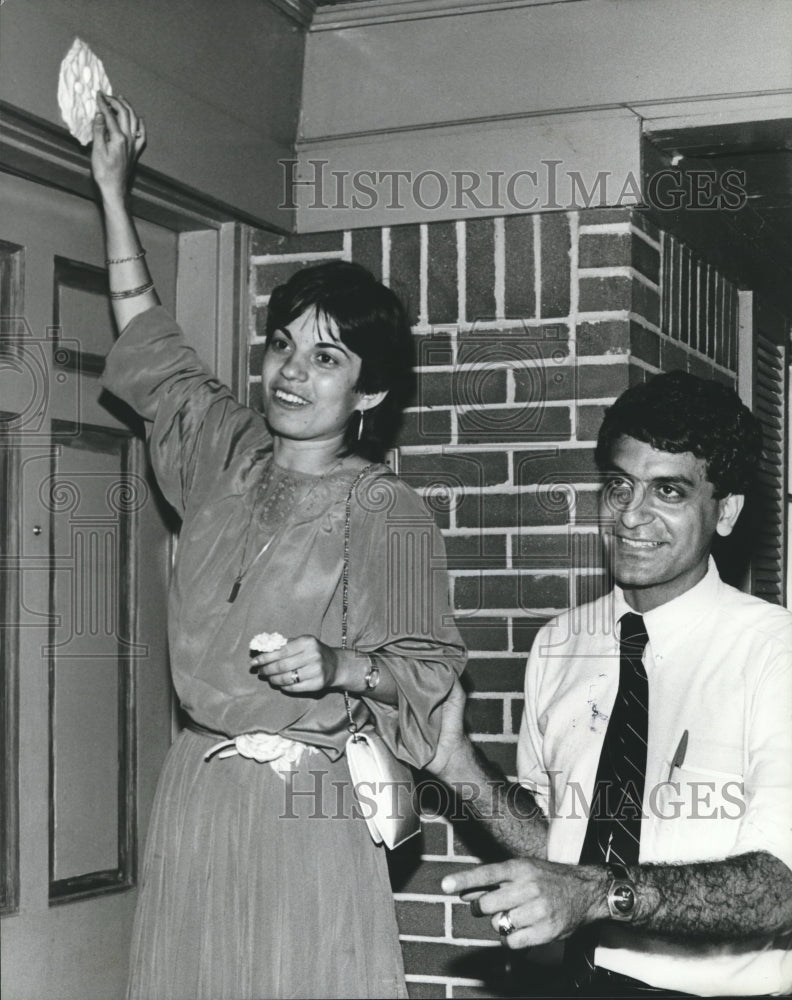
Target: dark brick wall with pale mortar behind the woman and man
(526,328)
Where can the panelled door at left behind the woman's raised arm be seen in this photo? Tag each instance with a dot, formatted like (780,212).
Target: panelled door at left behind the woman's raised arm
(87,551)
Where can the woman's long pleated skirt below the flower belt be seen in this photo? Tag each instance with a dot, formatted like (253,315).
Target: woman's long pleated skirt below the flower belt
(253,888)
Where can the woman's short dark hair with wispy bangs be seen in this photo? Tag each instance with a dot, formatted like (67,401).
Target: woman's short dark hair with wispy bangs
(373,323)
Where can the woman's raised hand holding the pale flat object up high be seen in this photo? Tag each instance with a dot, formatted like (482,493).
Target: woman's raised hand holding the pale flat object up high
(119,136)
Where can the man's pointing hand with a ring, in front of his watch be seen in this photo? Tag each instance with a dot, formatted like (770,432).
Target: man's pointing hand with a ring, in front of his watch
(544,900)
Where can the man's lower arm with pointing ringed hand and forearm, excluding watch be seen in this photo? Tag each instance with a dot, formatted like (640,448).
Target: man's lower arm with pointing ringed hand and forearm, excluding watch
(746,896)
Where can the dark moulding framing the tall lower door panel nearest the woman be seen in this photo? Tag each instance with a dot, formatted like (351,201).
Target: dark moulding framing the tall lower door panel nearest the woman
(124,875)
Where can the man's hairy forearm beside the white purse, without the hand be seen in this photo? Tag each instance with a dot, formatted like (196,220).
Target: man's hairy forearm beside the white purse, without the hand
(506,810)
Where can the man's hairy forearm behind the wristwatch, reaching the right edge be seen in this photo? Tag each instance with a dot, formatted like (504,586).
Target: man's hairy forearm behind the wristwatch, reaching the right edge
(744,896)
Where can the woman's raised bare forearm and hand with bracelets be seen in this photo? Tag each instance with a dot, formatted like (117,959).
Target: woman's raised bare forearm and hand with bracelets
(119,136)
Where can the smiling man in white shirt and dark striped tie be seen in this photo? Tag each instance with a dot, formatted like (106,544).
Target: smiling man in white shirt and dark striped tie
(679,881)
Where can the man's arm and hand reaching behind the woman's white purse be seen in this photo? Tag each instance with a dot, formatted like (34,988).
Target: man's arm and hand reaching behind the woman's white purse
(506,810)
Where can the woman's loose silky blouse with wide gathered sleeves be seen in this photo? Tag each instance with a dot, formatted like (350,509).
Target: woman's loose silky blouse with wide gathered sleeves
(281,534)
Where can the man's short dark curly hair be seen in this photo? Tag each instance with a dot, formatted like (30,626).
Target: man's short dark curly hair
(677,412)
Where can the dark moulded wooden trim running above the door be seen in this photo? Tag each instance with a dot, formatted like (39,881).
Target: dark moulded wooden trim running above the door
(37,150)
